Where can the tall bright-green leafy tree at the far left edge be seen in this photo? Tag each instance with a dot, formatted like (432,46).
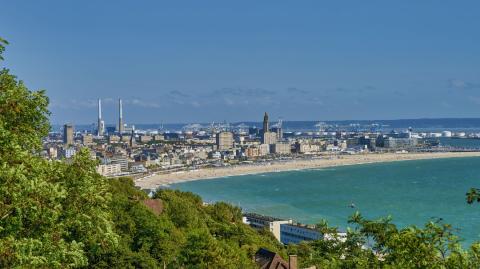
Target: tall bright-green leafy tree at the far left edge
(52,214)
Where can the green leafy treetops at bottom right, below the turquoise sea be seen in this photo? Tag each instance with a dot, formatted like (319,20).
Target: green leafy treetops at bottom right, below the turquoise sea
(380,244)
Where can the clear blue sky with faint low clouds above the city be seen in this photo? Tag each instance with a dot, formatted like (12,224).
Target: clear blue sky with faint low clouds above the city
(204,61)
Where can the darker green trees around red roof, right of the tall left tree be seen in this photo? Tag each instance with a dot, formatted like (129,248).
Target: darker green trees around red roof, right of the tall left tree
(187,234)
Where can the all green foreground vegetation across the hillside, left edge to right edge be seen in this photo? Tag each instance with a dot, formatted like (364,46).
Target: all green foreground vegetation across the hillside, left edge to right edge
(65,215)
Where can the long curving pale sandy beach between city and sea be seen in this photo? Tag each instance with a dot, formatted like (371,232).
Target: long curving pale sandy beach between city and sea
(157,180)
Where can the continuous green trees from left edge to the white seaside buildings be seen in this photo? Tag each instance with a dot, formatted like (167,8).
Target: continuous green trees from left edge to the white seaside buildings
(57,214)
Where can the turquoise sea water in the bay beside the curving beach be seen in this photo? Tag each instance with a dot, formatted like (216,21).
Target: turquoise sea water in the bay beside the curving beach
(412,192)
